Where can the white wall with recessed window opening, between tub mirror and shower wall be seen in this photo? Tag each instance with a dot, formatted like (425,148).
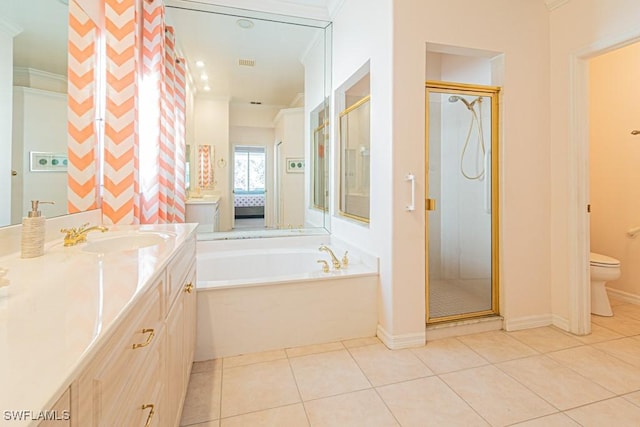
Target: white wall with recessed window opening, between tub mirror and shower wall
(356,41)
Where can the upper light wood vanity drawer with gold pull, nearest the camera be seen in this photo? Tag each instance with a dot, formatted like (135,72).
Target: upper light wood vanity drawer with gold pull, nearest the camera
(108,379)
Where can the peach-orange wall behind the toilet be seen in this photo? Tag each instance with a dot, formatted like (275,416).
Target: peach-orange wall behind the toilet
(614,155)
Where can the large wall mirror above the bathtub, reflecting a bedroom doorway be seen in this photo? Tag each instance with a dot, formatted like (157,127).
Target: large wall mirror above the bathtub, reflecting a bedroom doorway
(261,81)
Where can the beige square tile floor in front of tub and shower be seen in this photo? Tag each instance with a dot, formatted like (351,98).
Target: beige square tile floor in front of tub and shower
(536,377)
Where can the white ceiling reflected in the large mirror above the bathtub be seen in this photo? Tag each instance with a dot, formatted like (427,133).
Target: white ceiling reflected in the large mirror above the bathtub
(216,39)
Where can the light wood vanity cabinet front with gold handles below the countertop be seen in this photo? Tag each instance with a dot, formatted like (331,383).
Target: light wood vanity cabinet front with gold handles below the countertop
(140,374)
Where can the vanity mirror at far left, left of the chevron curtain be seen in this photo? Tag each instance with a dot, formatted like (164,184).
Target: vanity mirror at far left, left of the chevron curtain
(33,86)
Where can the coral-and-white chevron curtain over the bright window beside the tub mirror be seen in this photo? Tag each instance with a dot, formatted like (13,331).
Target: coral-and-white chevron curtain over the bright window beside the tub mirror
(144,148)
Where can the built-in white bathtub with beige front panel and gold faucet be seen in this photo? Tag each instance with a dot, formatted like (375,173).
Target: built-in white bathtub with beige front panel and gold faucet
(265,294)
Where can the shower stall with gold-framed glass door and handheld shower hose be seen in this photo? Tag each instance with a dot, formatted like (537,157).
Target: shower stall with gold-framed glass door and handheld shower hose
(462,201)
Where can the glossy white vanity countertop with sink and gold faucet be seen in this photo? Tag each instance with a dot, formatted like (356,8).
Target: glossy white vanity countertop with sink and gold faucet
(61,305)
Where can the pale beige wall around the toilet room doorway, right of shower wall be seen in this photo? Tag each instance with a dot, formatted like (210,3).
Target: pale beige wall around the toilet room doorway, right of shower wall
(596,25)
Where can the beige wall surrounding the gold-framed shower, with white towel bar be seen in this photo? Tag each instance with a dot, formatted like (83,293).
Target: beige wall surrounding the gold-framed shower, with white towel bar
(520,31)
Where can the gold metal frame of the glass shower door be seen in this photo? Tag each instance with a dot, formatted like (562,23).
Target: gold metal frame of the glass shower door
(491,92)
